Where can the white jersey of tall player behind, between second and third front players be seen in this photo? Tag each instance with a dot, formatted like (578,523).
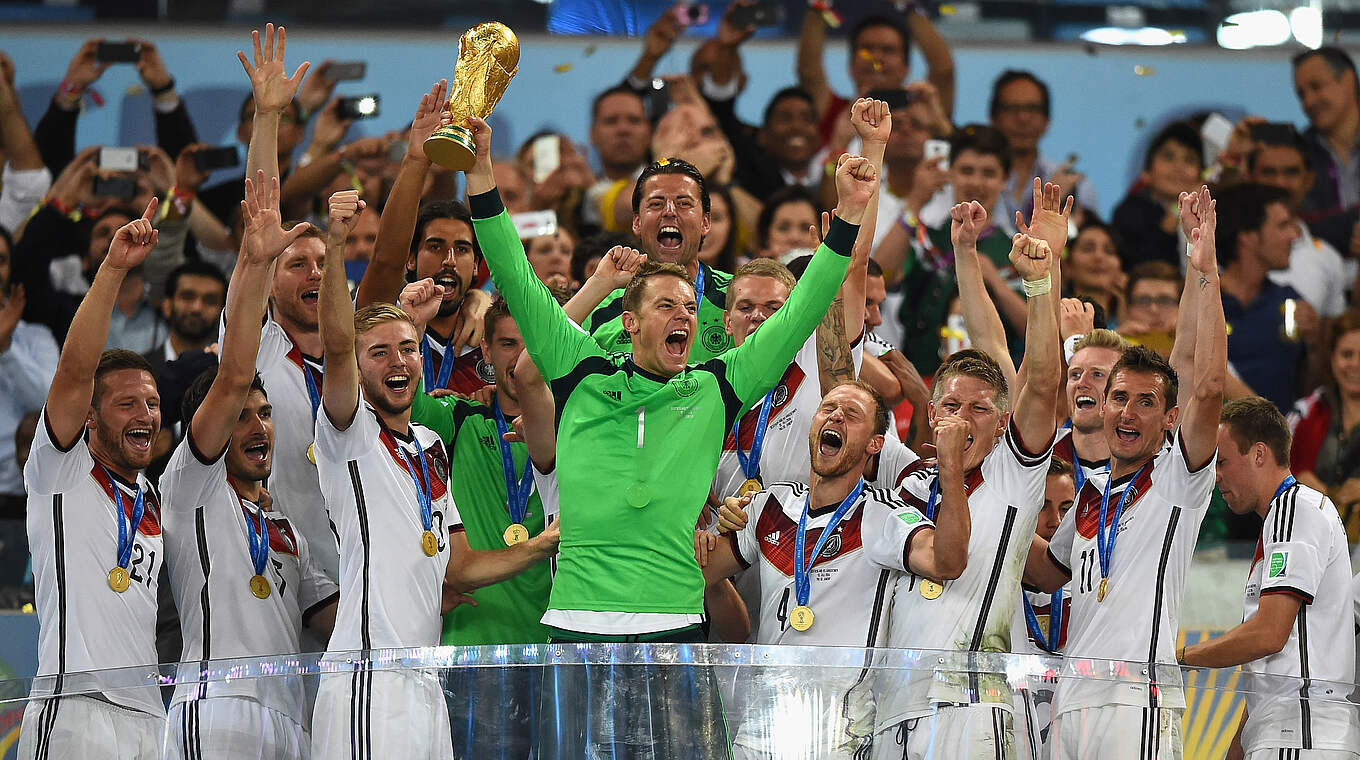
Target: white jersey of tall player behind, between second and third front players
(293,485)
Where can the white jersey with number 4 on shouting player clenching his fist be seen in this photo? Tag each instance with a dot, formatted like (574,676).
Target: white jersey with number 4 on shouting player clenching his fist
(851,588)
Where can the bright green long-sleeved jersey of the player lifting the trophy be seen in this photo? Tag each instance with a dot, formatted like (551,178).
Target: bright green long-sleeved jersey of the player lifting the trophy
(637,452)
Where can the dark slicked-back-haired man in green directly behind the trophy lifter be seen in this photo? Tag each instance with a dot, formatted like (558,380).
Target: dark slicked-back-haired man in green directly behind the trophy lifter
(671,233)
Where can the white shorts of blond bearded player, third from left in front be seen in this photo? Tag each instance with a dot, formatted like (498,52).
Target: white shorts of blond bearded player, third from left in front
(380,714)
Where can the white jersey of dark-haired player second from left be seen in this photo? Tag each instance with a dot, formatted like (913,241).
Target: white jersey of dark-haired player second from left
(209,557)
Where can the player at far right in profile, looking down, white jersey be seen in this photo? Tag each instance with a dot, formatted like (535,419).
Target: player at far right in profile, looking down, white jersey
(1297,641)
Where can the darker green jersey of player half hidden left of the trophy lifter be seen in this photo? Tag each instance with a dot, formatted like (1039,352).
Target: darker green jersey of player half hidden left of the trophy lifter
(507,612)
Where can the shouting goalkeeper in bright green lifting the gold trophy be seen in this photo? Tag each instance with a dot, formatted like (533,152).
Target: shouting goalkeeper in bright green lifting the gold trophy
(640,437)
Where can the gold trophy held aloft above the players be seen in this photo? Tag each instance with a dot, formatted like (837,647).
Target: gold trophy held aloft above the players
(489,58)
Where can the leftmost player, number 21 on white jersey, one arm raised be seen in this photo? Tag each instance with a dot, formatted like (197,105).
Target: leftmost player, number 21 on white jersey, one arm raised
(95,528)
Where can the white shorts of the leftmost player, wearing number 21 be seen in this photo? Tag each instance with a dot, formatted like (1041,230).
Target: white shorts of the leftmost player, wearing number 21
(88,728)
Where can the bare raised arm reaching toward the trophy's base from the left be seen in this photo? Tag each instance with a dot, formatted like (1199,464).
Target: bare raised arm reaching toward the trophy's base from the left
(384,278)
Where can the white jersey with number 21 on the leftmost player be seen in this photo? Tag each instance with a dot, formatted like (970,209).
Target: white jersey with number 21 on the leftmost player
(84,625)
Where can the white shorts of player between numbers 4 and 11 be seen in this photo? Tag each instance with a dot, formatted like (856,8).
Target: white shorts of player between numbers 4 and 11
(964,732)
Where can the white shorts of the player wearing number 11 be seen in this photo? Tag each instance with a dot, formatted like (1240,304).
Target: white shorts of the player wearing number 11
(1117,732)
